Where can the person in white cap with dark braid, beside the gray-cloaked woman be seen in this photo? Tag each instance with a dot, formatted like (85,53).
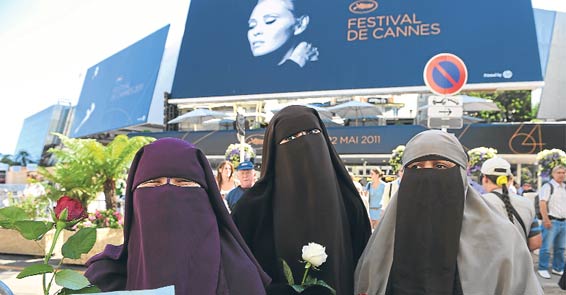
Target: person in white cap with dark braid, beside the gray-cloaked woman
(519,210)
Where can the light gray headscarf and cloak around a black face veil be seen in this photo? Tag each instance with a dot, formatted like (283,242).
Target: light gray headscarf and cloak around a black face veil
(492,255)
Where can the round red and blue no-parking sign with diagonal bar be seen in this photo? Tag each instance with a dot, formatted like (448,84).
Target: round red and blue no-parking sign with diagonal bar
(445,74)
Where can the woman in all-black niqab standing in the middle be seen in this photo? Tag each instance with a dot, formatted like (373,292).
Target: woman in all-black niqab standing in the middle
(305,195)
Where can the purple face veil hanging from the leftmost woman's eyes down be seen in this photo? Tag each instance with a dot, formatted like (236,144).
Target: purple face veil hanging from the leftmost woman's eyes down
(164,210)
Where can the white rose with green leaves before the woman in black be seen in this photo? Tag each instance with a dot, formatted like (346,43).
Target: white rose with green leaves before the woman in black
(314,255)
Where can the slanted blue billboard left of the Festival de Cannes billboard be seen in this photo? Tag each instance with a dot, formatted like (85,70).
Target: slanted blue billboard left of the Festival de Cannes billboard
(117,92)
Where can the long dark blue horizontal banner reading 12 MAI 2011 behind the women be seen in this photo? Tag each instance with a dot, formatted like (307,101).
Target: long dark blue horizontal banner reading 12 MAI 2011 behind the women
(506,138)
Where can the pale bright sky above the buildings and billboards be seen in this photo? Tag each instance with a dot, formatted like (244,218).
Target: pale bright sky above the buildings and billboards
(47,46)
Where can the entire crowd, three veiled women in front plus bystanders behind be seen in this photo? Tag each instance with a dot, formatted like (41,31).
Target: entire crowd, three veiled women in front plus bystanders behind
(427,232)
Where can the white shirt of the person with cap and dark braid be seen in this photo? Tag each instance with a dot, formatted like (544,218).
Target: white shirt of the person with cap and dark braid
(524,207)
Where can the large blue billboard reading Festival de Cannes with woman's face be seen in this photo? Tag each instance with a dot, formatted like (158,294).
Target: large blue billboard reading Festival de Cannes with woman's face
(300,48)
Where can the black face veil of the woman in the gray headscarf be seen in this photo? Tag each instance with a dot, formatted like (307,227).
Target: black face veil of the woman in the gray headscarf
(430,208)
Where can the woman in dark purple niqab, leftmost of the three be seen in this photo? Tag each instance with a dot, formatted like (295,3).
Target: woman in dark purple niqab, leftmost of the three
(177,235)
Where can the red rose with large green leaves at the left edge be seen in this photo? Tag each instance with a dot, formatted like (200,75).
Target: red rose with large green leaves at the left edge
(67,213)
